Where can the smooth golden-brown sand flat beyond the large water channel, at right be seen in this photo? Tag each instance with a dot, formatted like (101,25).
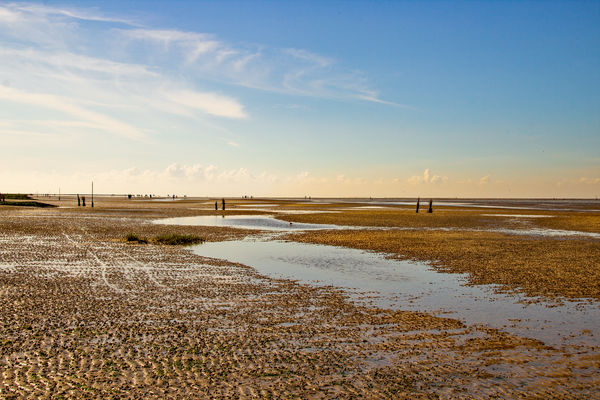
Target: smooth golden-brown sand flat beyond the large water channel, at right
(554,256)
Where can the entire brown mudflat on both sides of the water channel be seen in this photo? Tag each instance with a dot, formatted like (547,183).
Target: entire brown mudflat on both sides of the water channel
(86,314)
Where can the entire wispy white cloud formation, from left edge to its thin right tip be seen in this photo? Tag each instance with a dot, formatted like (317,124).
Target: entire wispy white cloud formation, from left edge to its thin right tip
(52,59)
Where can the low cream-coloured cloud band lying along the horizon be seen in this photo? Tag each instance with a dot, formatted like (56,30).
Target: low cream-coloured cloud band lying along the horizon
(211,180)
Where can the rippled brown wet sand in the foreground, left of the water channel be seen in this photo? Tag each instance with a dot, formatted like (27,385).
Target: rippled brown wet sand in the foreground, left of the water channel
(85,315)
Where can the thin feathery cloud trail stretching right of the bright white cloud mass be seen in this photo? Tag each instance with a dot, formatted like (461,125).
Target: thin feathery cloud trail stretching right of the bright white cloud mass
(281,70)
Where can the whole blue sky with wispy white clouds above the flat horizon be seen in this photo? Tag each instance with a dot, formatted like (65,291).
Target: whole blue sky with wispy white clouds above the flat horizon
(310,98)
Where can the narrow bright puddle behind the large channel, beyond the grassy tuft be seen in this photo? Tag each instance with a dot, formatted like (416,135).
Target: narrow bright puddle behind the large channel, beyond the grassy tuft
(246,222)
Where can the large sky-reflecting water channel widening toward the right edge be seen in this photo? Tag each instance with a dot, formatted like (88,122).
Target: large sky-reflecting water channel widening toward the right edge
(411,286)
